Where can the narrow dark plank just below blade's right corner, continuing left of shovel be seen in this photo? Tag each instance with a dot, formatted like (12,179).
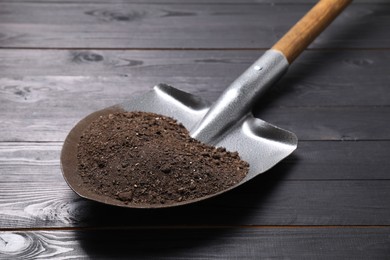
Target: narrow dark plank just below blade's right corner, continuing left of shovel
(320,160)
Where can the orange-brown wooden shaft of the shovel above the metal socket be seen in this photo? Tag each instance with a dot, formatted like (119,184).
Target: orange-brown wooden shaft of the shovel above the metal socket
(309,27)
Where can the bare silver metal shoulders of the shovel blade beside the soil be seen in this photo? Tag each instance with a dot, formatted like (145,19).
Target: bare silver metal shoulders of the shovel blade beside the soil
(259,143)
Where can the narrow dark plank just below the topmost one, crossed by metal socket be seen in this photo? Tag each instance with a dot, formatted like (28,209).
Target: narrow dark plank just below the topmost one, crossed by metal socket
(362,76)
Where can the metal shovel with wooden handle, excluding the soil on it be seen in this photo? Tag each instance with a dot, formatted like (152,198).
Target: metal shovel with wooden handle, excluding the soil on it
(229,121)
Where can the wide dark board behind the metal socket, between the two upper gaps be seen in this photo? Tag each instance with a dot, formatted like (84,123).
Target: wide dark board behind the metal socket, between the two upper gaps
(44,103)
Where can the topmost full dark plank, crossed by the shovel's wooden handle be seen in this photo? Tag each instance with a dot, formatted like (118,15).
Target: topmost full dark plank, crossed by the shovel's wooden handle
(122,25)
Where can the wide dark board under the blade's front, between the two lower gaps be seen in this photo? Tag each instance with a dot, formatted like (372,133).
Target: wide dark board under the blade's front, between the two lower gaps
(314,187)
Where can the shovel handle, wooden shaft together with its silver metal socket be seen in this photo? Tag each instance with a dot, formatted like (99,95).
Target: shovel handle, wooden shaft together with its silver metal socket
(238,99)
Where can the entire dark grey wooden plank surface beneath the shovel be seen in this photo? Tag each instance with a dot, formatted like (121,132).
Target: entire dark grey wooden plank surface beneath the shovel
(61,60)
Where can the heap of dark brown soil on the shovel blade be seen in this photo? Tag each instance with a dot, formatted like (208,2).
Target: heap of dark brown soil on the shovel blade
(143,158)
